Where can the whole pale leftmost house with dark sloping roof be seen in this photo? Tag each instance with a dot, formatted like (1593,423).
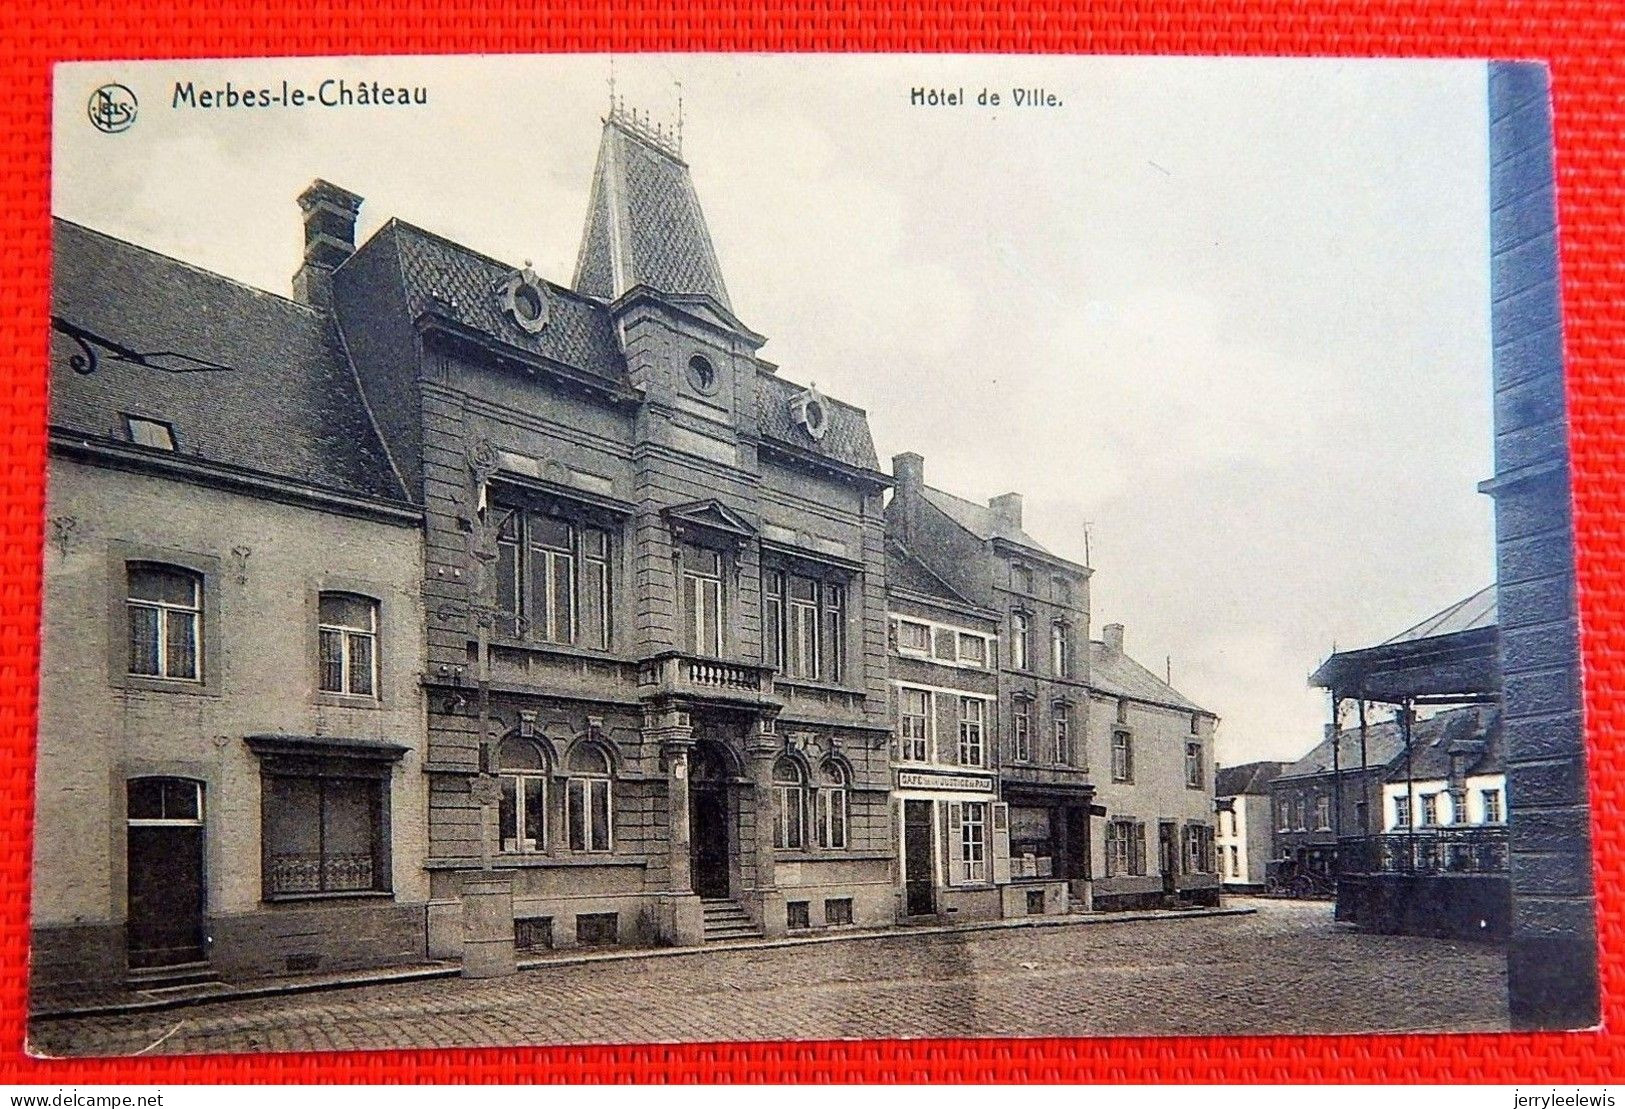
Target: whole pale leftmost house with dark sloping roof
(232,728)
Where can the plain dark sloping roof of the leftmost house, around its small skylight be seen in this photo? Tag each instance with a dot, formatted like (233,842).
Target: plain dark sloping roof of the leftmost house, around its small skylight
(288,407)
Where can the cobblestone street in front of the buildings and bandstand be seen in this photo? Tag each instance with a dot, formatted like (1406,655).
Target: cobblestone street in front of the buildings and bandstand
(1285,970)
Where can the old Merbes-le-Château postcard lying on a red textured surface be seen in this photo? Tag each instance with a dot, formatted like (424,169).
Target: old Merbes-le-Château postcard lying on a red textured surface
(561,550)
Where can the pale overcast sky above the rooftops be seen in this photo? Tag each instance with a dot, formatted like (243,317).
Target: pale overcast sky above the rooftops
(1231,316)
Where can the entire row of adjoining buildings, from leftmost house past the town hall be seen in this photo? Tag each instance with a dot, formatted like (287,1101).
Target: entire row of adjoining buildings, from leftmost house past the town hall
(444,612)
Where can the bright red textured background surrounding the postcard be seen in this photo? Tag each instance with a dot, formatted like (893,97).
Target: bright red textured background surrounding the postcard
(1584,45)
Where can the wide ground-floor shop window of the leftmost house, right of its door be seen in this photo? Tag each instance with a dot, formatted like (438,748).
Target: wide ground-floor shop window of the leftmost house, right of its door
(324,835)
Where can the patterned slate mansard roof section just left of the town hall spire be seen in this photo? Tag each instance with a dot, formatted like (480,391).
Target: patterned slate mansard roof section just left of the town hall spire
(454,281)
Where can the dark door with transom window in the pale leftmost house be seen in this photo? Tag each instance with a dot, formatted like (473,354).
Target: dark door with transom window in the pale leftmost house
(165,872)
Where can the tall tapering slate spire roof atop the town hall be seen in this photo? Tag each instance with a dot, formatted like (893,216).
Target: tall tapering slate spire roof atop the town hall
(644,222)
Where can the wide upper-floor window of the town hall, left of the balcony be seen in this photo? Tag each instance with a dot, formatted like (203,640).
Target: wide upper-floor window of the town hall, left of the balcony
(553,580)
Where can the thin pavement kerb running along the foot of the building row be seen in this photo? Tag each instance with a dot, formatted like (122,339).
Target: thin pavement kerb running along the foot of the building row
(453,970)
